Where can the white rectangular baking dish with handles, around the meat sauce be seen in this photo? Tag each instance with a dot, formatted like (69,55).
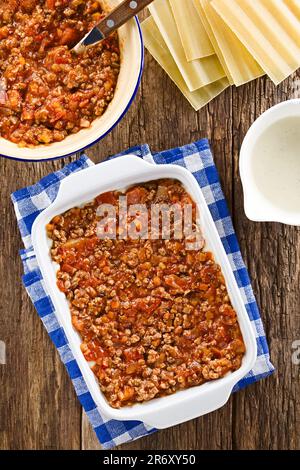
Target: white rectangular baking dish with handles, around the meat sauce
(120,173)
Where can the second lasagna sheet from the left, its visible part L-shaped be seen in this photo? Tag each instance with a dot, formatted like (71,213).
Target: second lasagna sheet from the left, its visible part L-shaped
(197,73)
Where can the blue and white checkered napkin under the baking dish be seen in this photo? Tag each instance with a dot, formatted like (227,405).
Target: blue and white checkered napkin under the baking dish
(29,202)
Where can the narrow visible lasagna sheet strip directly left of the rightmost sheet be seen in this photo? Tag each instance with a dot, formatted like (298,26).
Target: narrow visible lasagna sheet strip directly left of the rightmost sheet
(240,63)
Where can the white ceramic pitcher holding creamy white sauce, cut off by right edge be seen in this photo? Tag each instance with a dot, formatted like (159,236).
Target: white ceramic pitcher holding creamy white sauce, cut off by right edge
(258,169)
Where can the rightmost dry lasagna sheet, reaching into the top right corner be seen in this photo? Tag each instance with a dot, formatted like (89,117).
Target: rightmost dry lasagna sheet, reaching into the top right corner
(269,29)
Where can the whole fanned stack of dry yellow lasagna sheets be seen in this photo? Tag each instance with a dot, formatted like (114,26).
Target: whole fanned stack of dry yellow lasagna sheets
(207,45)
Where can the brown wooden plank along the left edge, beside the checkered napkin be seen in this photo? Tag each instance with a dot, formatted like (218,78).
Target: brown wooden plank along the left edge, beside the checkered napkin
(38,408)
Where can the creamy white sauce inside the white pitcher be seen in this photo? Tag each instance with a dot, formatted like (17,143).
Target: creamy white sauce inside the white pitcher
(276,163)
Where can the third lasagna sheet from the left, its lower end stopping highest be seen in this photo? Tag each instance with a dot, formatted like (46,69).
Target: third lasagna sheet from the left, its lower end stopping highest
(193,35)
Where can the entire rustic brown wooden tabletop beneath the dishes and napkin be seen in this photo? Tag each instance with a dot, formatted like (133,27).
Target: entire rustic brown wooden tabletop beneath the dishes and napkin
(38,406)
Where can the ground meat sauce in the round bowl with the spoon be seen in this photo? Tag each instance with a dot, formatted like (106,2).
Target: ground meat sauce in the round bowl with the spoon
(46,91)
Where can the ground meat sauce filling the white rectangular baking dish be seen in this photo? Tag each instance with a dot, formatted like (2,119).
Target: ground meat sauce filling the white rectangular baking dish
(154,317)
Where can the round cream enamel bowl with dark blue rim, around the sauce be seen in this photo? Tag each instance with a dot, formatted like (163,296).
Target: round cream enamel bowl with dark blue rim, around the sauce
(132,61)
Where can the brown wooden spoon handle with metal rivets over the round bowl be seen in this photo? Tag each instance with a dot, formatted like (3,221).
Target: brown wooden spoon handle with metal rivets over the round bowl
(120,15)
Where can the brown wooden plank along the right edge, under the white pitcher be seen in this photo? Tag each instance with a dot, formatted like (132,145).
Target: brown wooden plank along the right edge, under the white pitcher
(267,415)
